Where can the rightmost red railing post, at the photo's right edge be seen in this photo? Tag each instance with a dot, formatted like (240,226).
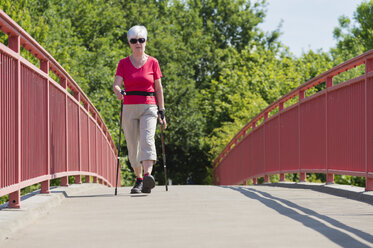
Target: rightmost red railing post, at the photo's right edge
(368,128)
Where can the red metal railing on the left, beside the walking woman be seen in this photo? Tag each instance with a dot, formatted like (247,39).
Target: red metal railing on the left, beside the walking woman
(46,132)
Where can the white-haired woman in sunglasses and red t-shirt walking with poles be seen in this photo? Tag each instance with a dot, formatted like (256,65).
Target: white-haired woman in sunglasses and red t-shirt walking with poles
(141,76)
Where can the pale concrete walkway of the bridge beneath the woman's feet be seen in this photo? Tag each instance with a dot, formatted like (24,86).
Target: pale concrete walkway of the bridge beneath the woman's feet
(189,216)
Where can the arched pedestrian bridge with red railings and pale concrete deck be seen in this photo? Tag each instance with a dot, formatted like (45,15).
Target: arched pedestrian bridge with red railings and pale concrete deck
(50,129)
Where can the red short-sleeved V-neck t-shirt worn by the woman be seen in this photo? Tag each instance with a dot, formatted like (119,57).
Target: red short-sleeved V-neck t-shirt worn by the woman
(139,79)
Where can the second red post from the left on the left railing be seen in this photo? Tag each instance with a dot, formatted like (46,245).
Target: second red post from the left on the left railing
(45,186)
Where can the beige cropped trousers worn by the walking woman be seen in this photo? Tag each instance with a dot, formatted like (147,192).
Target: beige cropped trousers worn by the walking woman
(139,122)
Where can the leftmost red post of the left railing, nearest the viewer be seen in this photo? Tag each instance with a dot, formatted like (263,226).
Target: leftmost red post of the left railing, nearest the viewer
(15,197)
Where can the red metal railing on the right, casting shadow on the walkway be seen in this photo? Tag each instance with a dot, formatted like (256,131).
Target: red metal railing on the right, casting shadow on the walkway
(329,132)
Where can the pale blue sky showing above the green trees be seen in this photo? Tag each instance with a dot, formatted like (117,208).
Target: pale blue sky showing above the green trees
(307,24)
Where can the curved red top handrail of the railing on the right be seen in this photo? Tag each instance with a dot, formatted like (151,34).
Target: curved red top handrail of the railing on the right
(327,77)
